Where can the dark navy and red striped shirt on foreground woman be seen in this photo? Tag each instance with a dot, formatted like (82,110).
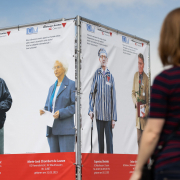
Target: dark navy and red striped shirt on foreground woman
(165,103)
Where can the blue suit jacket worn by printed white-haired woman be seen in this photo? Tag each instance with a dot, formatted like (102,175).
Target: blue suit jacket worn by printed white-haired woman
(65,103)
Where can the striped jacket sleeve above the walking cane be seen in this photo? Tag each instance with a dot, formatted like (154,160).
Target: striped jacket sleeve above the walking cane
(92,95)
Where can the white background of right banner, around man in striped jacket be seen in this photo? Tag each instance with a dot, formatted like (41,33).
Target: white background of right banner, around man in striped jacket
(123,68)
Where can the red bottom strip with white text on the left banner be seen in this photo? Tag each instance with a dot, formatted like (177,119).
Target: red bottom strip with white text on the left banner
(38,166)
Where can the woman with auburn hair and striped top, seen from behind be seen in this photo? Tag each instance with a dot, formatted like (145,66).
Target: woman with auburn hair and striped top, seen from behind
(164,117)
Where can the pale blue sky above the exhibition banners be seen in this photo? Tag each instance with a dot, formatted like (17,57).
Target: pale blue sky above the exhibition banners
(142,18)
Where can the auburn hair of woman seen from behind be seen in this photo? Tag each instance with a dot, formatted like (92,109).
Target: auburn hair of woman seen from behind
(169,44)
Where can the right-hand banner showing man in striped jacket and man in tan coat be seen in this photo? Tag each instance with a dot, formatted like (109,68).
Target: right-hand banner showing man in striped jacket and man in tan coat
(114,93)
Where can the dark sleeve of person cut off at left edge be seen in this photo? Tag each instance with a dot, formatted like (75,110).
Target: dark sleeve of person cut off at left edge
(5,99)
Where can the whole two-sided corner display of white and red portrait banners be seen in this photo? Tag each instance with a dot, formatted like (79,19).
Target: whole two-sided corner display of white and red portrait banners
(80,100)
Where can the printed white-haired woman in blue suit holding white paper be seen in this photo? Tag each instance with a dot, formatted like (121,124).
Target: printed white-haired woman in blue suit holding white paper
(61,102)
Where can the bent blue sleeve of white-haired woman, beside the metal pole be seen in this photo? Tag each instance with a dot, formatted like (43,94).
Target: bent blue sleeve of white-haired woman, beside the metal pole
(69,110)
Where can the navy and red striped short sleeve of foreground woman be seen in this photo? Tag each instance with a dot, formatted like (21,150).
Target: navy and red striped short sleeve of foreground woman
(159,96)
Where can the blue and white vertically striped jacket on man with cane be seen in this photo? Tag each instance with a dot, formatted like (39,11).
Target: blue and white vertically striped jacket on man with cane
(103,95)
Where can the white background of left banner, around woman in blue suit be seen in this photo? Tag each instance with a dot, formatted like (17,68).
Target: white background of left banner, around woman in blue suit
(28,74)
